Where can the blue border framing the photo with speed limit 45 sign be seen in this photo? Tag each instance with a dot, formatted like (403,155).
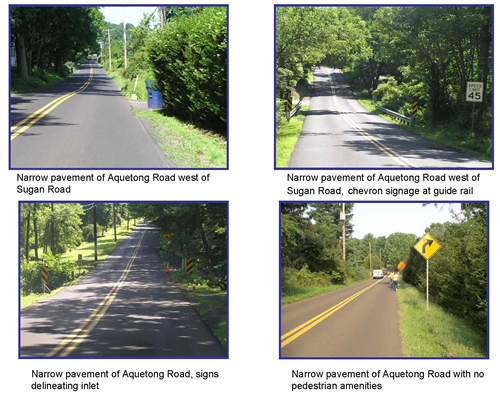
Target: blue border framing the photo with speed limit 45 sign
(396,5)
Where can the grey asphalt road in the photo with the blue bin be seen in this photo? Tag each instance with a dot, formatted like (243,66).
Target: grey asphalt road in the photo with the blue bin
(82,122)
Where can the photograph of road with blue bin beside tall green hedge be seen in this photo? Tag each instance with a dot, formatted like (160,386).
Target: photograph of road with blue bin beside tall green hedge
(118,87)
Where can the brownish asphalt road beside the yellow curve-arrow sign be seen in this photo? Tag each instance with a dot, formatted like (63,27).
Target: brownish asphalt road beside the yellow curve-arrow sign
(359,321)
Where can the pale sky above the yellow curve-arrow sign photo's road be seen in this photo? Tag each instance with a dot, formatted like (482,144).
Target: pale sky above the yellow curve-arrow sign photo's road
(383,219)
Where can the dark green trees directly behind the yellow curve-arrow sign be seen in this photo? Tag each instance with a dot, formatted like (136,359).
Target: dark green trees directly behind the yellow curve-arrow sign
(458,271)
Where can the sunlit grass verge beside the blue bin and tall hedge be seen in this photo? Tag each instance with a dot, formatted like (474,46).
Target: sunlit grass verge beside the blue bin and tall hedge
(184,144)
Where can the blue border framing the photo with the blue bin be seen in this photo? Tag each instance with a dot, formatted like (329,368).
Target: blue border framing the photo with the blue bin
(124,5)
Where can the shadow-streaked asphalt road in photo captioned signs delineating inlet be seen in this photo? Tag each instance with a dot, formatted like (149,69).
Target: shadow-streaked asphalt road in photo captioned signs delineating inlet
(126,307)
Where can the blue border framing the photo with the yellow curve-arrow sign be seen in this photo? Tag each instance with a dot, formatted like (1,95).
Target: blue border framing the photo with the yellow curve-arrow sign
(393,358)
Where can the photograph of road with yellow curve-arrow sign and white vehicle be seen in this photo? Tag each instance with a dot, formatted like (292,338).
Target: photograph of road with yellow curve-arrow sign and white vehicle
(384,280)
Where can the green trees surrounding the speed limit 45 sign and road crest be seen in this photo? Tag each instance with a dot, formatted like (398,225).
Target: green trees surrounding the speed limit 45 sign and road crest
(401,54)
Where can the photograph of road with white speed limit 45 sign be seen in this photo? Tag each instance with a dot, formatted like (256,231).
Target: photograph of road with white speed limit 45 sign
(378,87)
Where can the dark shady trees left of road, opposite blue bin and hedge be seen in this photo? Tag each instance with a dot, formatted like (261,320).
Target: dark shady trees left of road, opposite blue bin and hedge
(47,38)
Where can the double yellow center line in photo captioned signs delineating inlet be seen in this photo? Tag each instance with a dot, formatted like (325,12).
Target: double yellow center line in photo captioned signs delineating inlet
(70,343)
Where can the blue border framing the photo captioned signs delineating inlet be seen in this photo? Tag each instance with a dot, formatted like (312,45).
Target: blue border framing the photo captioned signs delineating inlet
(115,201)
